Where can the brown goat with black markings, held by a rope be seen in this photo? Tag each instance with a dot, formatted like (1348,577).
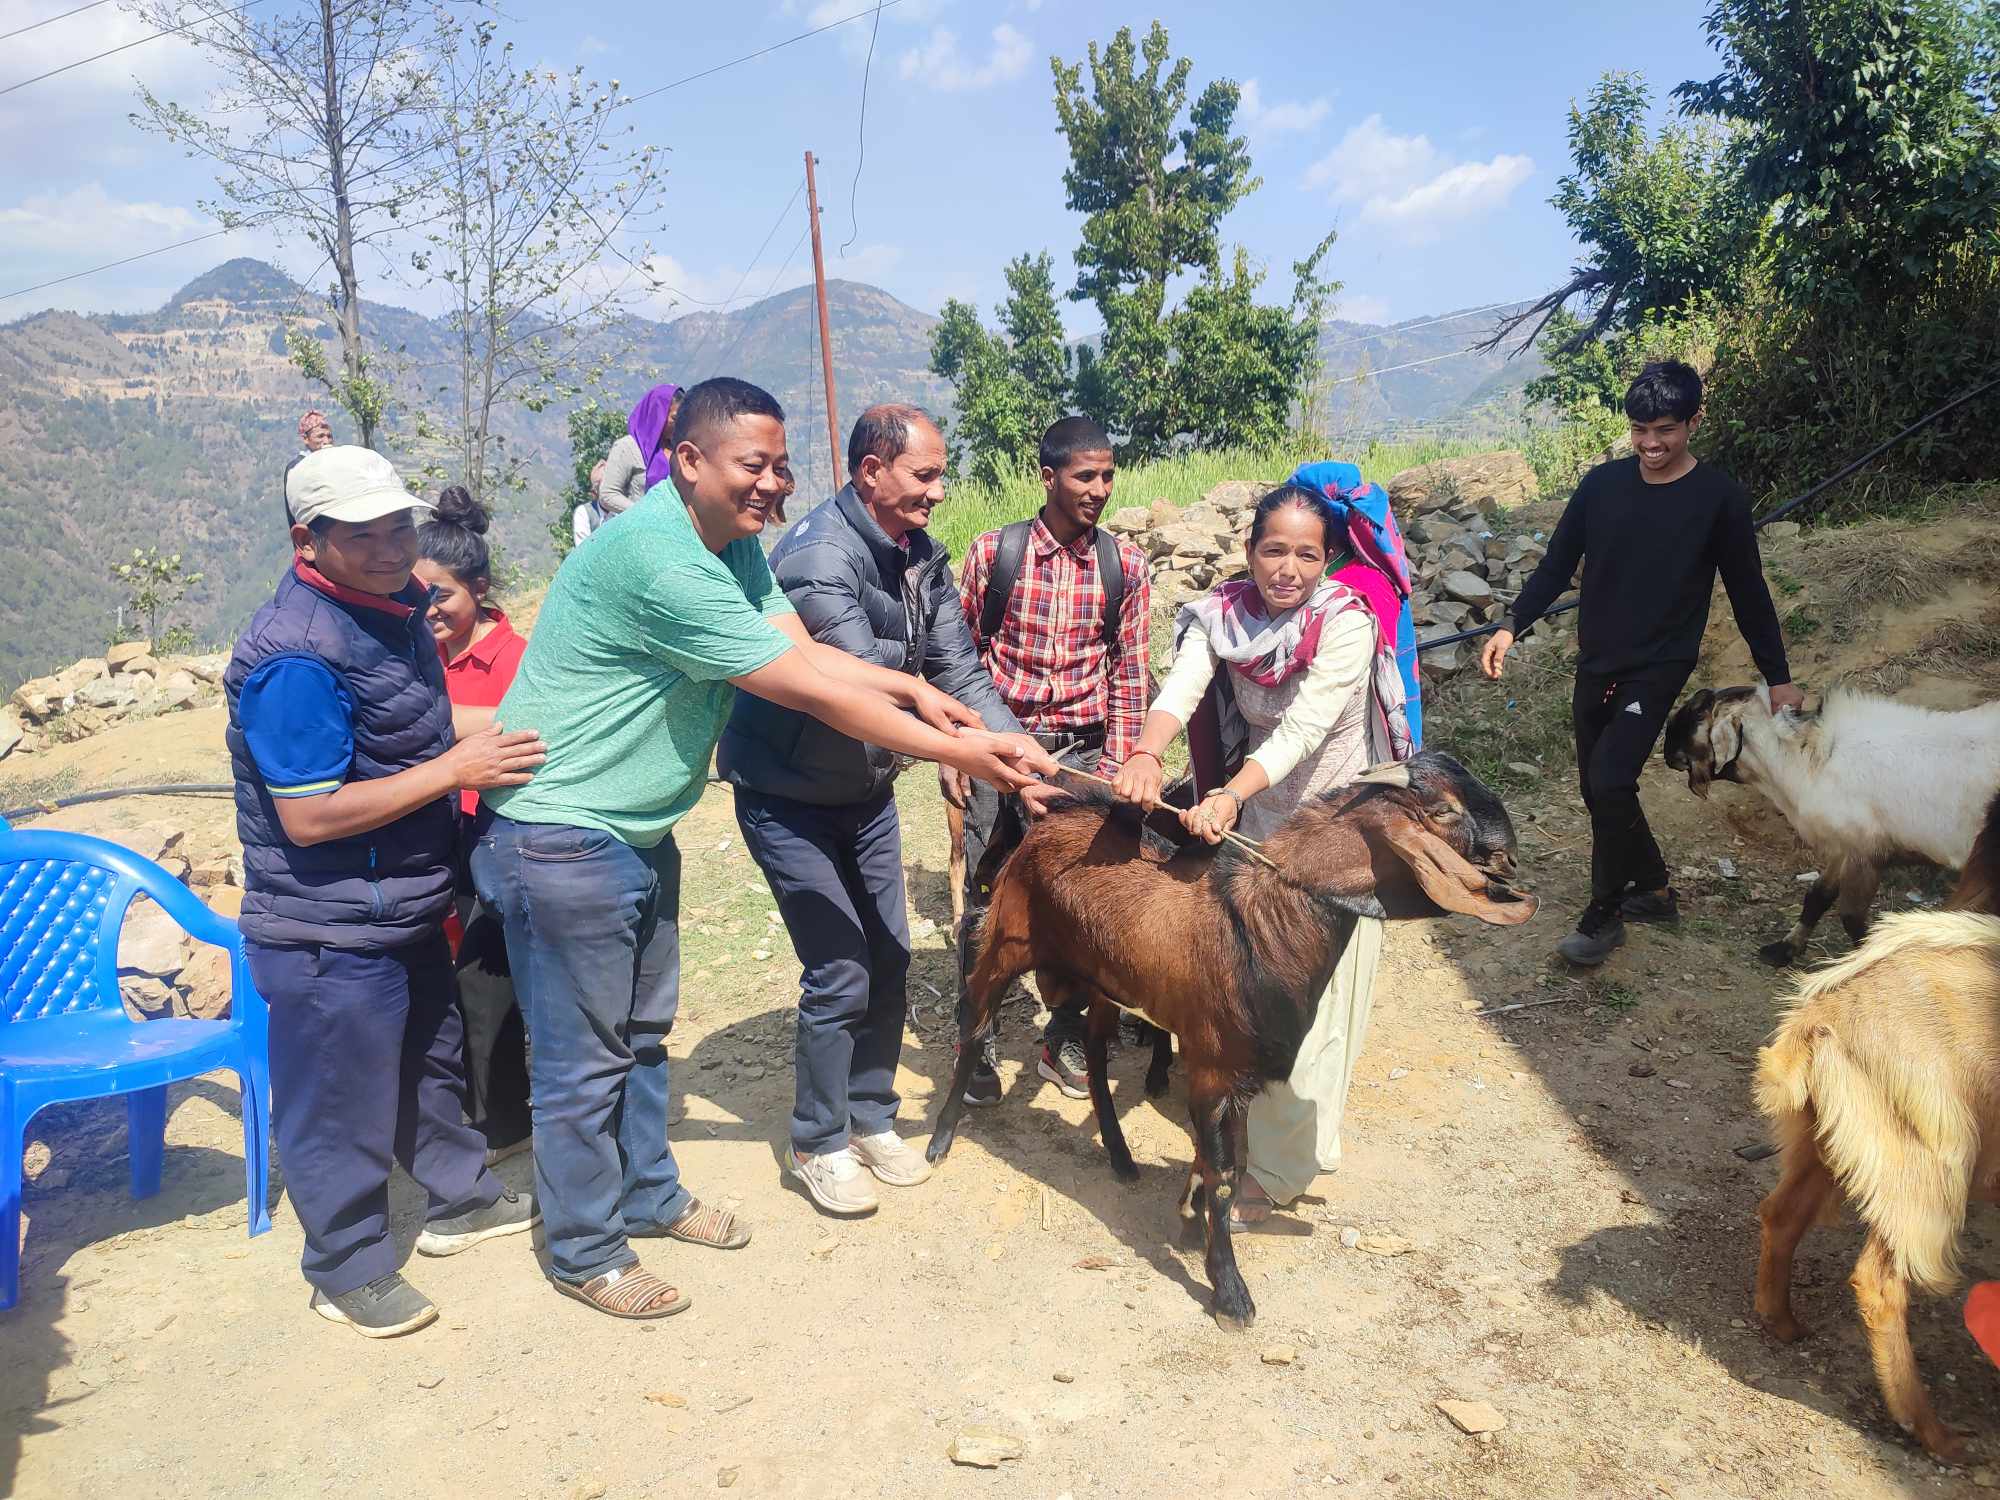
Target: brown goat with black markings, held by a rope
(1227,955)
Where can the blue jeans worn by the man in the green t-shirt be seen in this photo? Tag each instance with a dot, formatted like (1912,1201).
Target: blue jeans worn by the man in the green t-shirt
(593,935)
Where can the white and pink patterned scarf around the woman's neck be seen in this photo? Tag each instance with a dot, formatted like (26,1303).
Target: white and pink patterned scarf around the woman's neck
(1271,649)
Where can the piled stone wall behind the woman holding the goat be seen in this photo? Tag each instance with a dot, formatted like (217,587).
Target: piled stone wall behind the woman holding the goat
(1469,553)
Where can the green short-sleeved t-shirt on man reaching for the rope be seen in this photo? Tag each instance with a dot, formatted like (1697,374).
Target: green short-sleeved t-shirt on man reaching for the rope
(627,671)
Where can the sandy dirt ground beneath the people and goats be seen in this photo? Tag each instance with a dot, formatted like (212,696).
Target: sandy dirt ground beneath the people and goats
(1529,1279)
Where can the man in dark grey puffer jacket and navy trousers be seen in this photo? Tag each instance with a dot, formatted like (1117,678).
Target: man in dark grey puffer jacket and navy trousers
(819,809)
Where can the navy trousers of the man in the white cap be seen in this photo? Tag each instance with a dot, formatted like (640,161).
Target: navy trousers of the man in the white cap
(367,1071)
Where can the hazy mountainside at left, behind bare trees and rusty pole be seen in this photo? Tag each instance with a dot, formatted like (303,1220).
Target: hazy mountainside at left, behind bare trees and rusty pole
(175,427)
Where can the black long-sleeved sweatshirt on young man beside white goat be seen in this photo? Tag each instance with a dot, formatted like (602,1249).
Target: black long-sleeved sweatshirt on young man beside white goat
(1651,557)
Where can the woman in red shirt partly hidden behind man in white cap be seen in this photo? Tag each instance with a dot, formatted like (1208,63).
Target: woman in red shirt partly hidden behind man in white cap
(481,657)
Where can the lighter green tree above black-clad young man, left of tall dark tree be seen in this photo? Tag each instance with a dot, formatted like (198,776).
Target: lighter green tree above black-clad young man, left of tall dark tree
(1663,221)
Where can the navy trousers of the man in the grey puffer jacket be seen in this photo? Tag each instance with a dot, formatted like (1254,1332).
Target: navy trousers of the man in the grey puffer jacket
(837,877)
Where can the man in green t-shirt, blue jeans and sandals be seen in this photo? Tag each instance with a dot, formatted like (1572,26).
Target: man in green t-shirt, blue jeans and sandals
(629,679)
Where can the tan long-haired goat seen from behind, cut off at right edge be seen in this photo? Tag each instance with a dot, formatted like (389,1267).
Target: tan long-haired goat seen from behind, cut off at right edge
(1883,1083)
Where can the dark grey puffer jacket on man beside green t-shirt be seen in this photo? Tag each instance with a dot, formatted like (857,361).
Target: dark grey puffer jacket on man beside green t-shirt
(893,607)
